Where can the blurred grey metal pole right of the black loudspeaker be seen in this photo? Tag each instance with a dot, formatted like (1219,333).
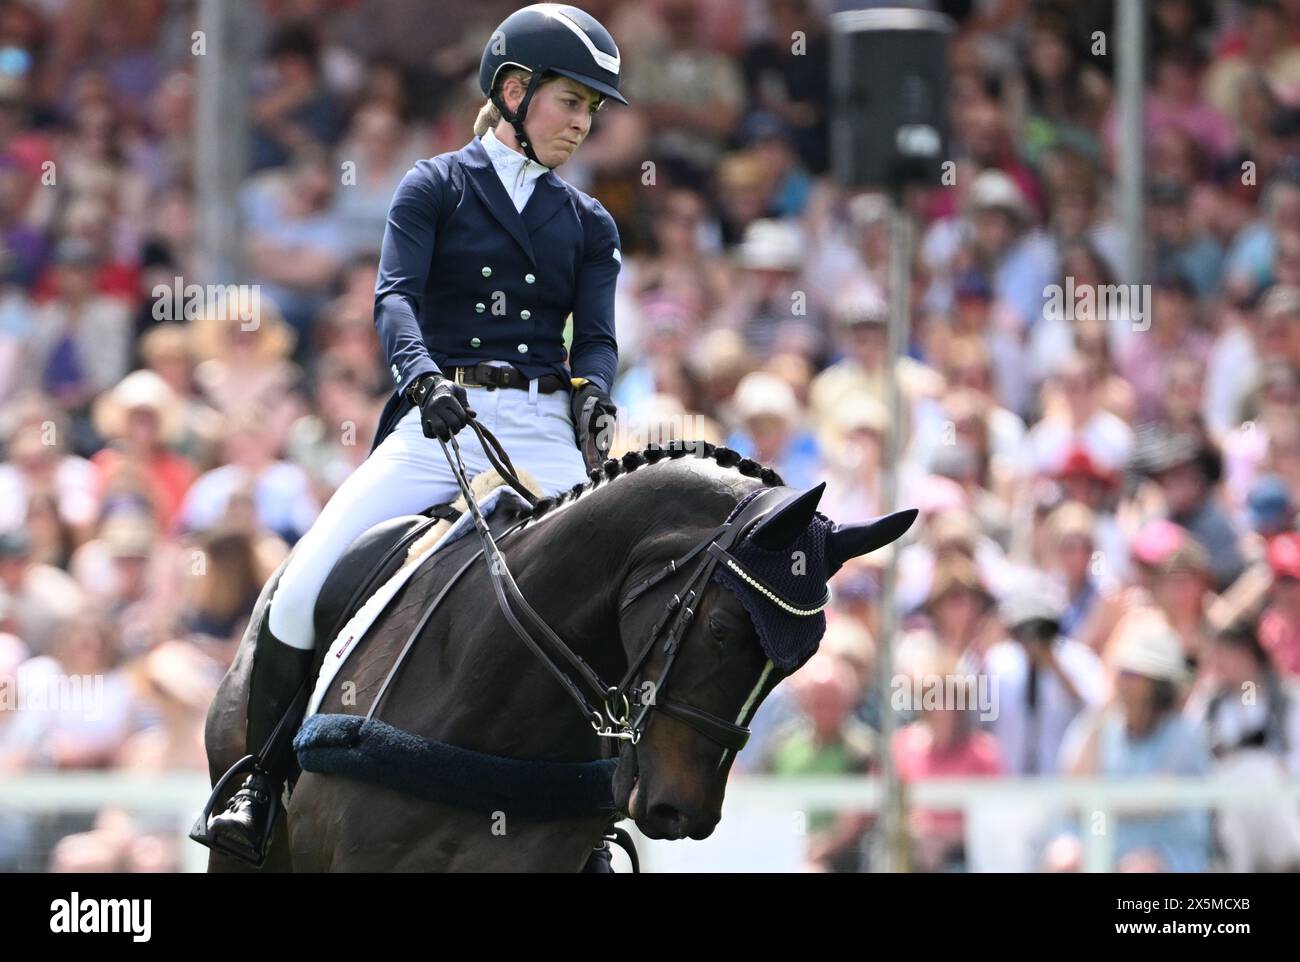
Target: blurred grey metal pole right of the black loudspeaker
(1130,29)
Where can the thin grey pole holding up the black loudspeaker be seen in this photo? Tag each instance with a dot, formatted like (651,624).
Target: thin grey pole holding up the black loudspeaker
(892,852)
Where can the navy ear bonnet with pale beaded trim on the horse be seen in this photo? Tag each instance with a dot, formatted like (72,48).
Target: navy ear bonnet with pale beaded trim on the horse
(798,577)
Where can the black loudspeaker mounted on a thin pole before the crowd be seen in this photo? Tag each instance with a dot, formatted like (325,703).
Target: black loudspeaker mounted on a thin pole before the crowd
(890,94)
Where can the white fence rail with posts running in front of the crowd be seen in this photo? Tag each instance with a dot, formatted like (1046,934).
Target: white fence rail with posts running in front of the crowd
(762,818)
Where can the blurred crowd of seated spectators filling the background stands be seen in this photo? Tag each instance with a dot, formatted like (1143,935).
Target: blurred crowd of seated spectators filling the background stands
(1108,539)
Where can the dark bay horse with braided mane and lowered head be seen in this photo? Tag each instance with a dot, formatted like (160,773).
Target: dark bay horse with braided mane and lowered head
(470,682)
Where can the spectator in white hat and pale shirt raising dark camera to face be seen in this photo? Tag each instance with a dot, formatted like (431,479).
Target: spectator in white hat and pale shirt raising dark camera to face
(1045,678)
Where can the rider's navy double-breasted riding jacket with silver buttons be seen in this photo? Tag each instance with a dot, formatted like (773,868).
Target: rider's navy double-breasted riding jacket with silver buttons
(465,278)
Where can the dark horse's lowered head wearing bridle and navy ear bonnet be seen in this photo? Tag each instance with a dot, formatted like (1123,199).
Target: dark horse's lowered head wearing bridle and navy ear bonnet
(755,621)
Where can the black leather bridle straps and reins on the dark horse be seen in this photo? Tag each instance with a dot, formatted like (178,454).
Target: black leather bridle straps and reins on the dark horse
(613,721)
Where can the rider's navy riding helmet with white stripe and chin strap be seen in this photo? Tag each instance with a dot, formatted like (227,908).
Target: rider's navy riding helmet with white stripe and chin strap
(549,40)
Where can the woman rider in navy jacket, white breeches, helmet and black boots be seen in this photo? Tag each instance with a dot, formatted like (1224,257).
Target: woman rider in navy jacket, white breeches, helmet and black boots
(486,255)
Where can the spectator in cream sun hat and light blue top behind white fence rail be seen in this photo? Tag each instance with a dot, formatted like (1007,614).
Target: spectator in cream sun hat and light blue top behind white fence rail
(1141,733)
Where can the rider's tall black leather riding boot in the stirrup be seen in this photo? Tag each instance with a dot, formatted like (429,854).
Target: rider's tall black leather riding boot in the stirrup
(278,697)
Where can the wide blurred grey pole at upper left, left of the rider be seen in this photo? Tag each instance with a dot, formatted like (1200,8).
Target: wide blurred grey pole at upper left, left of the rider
(222,132)
